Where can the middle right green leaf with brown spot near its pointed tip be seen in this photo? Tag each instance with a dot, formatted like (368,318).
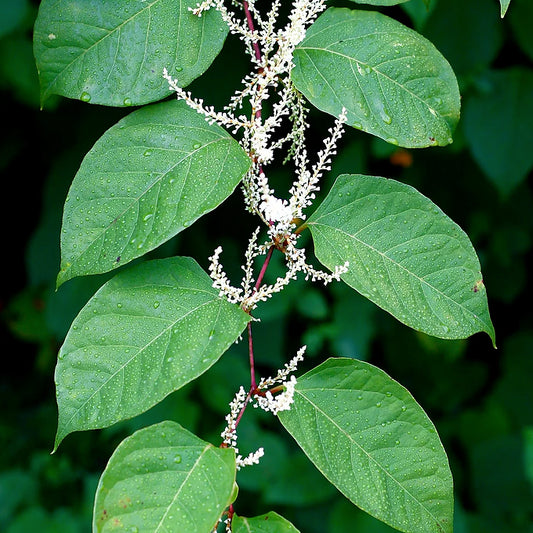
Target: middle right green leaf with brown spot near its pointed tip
(405,255)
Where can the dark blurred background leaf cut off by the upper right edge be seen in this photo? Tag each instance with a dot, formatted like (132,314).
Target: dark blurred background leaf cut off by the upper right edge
(497,125)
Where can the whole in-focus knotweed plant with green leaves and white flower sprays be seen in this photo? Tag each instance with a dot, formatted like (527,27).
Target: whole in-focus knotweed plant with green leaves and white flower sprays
(159,324)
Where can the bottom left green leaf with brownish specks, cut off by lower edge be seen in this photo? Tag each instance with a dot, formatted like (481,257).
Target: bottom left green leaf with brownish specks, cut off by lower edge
(164,479)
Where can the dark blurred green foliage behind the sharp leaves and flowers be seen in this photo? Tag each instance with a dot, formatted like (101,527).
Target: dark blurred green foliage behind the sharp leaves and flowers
(480,399)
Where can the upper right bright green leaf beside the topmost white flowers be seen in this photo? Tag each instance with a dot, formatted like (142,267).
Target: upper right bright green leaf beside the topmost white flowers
(392,81)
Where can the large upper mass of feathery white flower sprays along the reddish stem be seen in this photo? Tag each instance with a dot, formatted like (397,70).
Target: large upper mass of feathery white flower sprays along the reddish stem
(271,51)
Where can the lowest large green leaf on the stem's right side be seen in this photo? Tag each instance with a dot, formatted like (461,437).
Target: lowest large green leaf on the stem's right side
(370,438)
